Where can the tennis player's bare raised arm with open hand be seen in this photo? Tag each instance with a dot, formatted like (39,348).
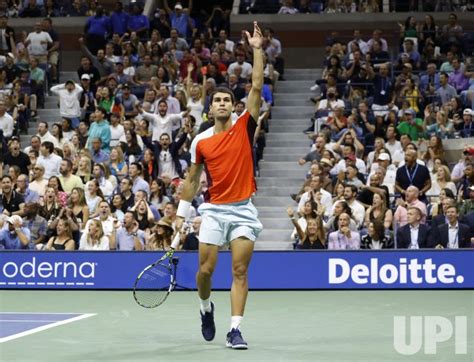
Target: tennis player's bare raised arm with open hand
(255,95)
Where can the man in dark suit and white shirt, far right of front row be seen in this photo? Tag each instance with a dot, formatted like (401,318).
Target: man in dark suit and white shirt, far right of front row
(453,234)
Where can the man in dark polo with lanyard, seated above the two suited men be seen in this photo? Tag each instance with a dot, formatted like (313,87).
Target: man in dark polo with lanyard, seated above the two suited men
(412,174)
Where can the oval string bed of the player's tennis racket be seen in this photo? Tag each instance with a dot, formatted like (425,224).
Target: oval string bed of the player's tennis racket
(153,285)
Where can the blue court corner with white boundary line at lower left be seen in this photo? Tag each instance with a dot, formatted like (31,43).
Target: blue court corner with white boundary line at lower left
(17,324)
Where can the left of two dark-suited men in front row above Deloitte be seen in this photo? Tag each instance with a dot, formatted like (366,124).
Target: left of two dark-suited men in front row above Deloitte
(413,235)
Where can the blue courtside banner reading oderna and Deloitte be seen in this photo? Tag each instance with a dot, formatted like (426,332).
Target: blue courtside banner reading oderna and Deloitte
(433,269)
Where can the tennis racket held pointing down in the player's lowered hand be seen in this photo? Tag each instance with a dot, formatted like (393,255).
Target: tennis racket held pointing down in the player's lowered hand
(156,281)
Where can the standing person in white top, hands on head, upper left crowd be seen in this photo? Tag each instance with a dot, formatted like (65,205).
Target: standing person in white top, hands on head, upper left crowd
(69,107)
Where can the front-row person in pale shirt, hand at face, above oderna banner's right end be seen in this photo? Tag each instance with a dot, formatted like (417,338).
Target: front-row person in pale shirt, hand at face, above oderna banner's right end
(128,236)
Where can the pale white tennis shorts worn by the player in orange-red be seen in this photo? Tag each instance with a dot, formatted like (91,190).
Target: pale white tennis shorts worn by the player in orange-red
(222,223)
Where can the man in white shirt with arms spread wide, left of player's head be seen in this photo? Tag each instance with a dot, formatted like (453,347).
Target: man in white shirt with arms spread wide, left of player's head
(162,122)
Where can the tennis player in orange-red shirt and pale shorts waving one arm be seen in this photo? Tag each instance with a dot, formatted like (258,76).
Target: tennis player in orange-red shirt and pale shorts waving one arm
(228,216)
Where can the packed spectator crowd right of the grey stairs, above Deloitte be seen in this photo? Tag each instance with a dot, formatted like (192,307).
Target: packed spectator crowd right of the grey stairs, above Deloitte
(379,174)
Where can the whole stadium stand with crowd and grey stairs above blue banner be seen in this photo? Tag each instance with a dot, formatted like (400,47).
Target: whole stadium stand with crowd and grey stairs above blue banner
(109,141)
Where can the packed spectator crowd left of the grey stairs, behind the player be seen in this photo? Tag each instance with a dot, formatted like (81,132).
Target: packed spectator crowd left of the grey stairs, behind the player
(108,173)
